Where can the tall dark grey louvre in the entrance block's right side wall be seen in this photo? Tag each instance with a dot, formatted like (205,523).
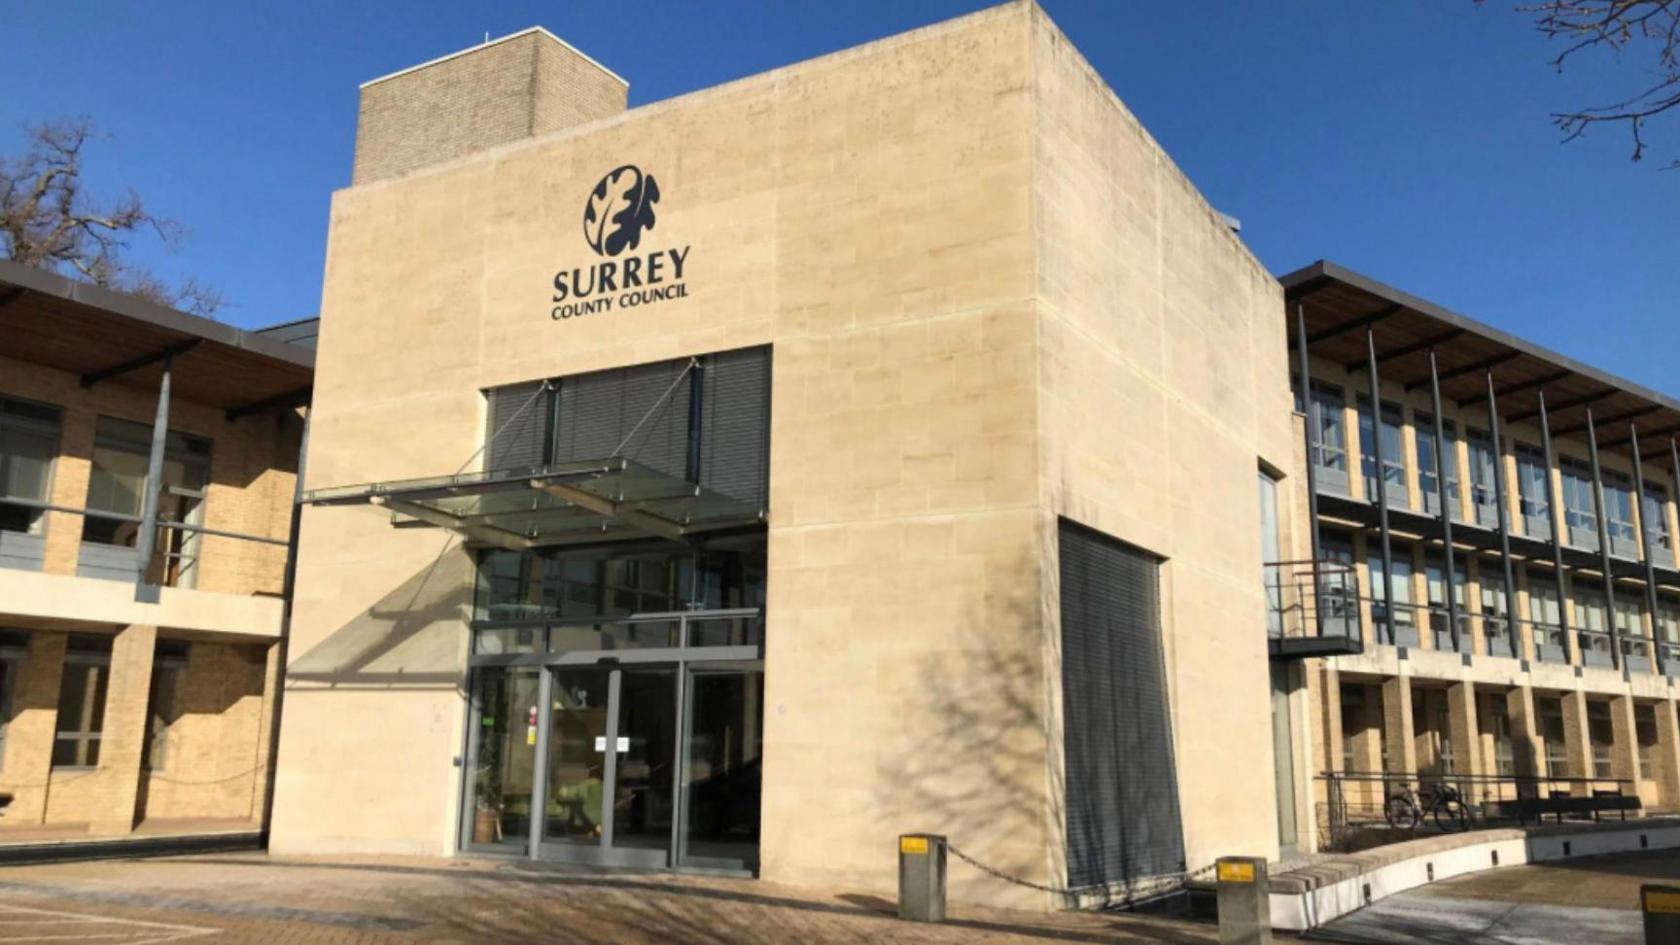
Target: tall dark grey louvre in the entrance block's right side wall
(1123,815)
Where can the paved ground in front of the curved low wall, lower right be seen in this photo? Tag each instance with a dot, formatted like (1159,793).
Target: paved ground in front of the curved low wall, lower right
(1575,902)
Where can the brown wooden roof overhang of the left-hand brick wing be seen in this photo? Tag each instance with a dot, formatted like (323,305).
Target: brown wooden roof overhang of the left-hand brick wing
(107,337)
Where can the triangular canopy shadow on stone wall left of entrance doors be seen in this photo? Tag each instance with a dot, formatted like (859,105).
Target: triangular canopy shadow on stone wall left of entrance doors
(411,636)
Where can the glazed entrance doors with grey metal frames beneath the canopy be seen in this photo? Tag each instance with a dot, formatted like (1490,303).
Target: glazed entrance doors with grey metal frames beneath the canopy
(622,758)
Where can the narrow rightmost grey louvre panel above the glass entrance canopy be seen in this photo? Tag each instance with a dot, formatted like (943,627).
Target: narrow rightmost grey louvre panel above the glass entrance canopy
(735,425)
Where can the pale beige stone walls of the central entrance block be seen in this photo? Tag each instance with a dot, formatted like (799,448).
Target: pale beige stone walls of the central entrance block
(992,304)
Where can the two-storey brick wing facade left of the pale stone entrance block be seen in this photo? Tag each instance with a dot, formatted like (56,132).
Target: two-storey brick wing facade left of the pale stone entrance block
(176,694)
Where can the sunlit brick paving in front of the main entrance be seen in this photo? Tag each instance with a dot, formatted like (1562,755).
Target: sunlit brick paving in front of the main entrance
(412,900)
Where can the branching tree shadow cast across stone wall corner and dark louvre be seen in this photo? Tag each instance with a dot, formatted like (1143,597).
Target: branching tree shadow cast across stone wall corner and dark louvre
(990,773)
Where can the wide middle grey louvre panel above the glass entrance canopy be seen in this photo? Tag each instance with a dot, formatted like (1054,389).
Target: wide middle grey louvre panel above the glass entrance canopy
(639,413)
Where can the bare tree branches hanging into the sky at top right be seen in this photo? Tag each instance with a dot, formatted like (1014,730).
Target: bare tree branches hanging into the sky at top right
(1617,26)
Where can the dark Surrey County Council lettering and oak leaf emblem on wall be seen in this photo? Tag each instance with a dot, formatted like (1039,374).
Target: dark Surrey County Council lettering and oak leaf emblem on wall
(616,216)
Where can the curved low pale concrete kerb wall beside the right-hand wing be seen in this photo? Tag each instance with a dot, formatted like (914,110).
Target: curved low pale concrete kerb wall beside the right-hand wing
(1313,895)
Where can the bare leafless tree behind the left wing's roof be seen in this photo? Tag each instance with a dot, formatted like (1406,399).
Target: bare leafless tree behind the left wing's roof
(50,223)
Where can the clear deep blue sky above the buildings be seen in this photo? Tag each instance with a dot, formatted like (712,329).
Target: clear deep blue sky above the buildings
(1405,140)
